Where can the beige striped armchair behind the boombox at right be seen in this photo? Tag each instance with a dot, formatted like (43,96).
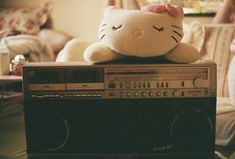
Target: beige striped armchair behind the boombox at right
(213,41)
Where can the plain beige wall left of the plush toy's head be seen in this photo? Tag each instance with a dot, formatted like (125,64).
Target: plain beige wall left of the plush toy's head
(79,18)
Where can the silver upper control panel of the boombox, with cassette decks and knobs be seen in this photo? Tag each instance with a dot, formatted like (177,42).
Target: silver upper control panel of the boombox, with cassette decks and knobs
(81,80)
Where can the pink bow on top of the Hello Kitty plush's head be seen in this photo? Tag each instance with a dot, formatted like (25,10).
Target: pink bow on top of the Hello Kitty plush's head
(171,10)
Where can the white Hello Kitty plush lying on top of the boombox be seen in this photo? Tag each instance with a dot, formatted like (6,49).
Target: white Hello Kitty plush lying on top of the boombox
(150,32)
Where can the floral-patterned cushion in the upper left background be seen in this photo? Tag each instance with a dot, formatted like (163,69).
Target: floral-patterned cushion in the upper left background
(24,20)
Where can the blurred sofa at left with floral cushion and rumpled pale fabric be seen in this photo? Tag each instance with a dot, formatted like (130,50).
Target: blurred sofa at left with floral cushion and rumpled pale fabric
(28,31)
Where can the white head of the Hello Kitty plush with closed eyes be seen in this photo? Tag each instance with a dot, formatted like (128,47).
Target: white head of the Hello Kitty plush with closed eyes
(138,33)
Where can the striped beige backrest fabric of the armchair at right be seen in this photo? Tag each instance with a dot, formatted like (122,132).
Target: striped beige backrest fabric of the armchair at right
(216,47)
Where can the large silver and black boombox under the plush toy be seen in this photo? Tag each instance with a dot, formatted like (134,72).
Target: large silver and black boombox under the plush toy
(144,111)
